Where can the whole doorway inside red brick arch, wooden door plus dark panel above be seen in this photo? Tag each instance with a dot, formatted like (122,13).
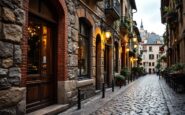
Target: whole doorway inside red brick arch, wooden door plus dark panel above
(41,78)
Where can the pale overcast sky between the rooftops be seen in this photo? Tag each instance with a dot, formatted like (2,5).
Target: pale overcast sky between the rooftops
(149,12)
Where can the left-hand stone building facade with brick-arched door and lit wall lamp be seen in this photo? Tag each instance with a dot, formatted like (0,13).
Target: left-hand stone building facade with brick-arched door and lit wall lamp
(50,49)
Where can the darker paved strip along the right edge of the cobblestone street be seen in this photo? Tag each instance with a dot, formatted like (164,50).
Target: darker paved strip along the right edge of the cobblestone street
(175,101)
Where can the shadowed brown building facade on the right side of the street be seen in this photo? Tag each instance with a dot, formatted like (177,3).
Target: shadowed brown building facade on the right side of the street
(172,15)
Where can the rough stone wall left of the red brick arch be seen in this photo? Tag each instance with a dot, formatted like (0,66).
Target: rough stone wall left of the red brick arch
(11,22)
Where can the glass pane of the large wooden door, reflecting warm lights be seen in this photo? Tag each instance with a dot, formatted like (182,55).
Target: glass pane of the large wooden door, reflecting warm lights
(39,53)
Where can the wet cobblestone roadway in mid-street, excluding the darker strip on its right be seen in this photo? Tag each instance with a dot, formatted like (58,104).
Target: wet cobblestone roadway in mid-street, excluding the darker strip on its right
(145,97)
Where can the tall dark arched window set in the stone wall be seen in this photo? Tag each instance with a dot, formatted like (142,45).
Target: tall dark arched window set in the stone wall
(84,49)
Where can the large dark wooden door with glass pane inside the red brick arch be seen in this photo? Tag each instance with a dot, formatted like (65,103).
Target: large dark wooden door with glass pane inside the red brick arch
(40,70)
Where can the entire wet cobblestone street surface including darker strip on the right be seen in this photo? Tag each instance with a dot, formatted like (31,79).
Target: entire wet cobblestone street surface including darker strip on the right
(147,96)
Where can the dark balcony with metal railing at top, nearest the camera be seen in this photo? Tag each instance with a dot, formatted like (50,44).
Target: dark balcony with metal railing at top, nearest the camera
(112,9)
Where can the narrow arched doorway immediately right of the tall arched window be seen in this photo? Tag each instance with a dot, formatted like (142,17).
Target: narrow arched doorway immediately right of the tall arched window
(98,62)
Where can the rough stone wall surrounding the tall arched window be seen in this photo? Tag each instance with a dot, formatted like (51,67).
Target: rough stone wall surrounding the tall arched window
(73,28)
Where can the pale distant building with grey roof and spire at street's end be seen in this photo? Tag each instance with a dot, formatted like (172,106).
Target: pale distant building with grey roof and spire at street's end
(149,49)
